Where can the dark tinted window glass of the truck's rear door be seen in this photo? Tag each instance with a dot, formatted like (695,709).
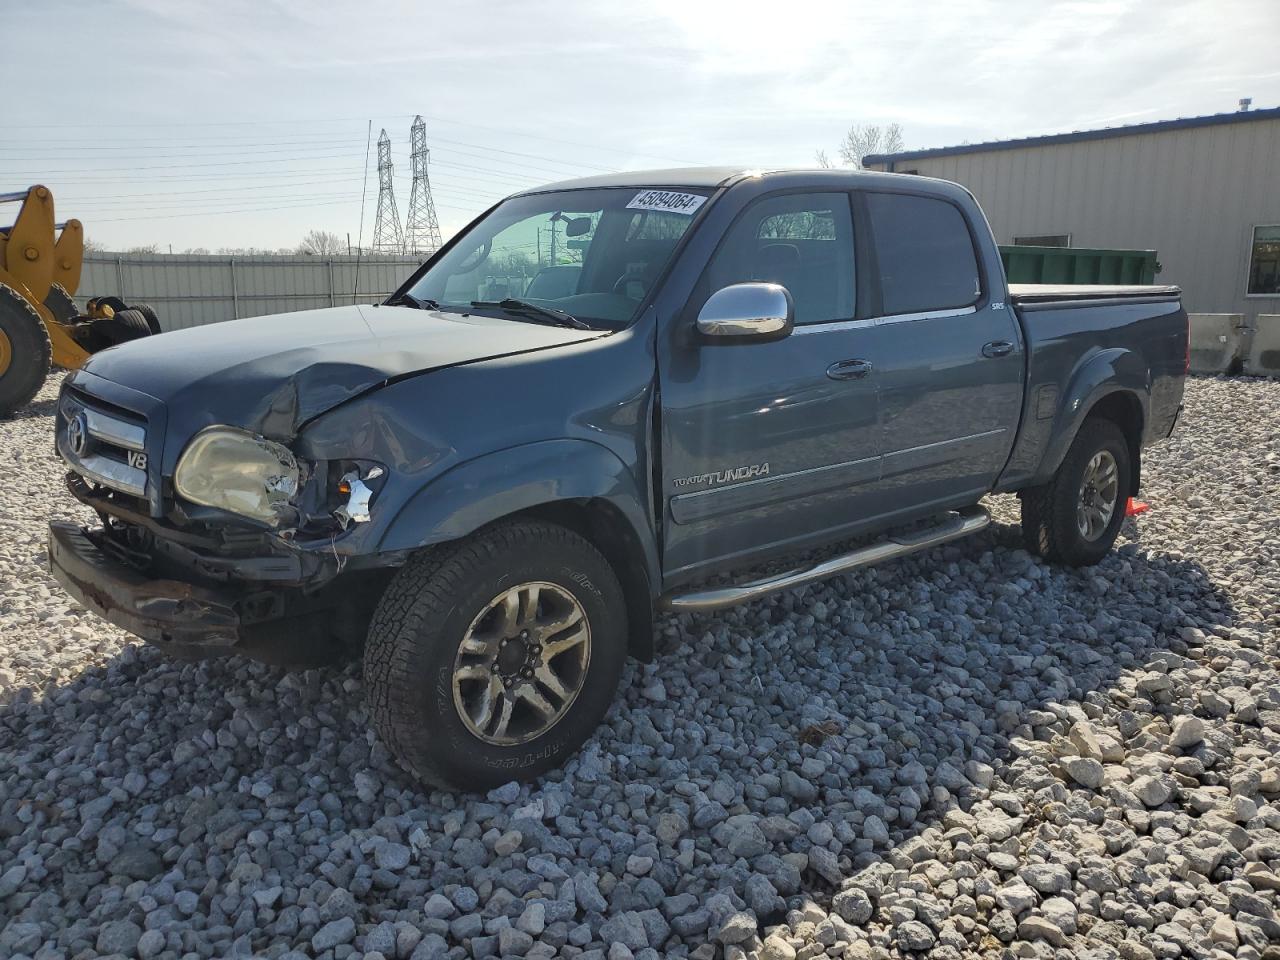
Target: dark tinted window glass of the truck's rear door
(925,253)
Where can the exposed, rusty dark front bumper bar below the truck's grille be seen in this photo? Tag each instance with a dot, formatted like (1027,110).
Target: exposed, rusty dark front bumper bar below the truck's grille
(168,612)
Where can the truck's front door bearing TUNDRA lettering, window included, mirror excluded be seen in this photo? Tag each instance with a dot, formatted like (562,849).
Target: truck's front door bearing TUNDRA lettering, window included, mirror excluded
(769,446)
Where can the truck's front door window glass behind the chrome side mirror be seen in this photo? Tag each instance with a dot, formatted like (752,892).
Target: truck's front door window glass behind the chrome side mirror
(802,241)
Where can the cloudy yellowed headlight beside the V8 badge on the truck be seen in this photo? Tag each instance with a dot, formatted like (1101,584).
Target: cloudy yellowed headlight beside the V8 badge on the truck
(240,473)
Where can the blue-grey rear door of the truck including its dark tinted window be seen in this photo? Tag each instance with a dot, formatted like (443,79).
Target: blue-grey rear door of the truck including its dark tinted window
(948,359)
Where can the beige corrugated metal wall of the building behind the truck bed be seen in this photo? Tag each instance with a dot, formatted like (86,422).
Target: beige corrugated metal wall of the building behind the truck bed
(1195,195)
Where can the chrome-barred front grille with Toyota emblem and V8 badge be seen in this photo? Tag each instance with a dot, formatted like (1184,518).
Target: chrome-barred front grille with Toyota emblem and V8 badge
(104,444)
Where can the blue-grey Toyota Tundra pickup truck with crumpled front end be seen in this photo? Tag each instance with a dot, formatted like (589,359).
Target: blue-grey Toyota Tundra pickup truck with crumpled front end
(706,371)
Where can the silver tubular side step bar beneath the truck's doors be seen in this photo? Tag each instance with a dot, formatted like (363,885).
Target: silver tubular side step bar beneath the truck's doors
(953,528)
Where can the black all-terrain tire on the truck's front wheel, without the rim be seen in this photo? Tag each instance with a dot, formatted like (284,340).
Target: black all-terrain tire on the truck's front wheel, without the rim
(420,623)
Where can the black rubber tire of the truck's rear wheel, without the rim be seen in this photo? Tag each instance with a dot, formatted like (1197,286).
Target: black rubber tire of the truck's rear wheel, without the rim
(1052,525)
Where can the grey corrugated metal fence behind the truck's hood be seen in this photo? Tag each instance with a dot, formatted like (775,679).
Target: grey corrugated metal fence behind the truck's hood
(190,291)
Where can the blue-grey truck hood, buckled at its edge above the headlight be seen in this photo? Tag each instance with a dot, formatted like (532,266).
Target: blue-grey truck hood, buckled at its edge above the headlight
(272,374)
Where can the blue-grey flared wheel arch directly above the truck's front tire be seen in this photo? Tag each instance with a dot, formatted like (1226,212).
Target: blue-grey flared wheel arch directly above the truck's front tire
(499,484)
